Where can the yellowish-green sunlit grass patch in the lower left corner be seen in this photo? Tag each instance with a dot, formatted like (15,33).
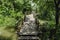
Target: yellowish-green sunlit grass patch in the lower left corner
(7,34)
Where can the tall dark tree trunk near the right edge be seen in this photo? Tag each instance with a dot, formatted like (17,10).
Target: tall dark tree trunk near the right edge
(57,16)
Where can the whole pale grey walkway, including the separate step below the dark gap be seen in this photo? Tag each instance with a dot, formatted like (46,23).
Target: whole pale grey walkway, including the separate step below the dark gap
(28,31)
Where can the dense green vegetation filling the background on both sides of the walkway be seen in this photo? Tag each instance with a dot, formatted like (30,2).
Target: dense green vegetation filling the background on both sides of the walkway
(11,11)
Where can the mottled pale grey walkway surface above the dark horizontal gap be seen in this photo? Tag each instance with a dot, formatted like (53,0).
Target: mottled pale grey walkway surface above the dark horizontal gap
(29,26)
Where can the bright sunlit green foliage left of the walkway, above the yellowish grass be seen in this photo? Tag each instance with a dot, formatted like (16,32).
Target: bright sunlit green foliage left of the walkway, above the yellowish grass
(9,12)
